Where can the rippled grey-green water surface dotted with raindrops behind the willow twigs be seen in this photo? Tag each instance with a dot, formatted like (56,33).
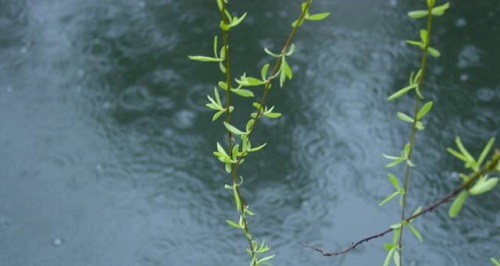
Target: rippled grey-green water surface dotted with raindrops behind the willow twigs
(106,145)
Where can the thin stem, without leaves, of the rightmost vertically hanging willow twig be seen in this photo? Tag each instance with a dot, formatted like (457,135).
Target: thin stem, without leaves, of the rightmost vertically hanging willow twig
(406,184)
